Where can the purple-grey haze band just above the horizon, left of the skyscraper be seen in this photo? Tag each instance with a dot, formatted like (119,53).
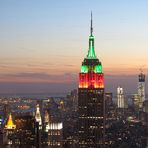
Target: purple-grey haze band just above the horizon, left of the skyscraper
(56,88)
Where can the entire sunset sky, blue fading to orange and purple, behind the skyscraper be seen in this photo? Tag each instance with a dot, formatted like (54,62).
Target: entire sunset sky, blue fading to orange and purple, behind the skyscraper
(43,42)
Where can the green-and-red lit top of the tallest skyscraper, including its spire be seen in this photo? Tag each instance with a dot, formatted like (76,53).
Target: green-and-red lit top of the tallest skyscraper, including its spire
(91,70)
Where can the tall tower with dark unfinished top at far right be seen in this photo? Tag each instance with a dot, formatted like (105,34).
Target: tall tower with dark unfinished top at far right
(141,88)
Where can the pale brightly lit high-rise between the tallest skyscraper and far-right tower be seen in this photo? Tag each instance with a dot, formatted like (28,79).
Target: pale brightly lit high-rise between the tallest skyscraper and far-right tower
(120,98)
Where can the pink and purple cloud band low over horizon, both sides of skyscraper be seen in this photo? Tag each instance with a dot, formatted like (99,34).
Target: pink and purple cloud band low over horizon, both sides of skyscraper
(44,82)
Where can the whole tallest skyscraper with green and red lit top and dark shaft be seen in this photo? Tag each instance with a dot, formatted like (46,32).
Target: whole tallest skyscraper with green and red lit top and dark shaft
(91,99)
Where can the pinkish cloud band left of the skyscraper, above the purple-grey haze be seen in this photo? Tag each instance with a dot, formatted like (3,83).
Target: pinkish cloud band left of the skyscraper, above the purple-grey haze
(38,77)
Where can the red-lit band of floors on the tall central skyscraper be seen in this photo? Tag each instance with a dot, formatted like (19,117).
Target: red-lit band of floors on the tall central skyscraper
(91,80)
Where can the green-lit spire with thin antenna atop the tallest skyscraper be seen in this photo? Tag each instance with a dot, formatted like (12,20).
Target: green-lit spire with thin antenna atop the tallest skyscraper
(91,51)
